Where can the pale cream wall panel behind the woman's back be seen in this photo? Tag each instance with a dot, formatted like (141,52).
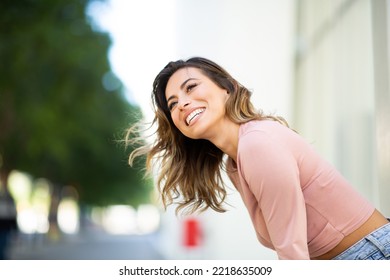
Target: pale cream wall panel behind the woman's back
(335,91)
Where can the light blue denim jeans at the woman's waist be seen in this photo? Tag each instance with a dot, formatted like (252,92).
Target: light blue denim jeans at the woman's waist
(375,246)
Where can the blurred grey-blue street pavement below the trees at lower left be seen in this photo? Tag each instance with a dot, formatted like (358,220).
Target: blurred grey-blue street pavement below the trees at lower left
(91,244)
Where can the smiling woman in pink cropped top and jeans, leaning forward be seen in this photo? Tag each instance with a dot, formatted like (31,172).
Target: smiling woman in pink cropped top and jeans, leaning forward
(300,205)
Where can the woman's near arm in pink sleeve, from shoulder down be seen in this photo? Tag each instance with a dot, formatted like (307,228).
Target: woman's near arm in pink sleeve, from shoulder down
(272,174)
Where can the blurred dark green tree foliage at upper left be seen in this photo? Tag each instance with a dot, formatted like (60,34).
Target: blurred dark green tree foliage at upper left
(61,107)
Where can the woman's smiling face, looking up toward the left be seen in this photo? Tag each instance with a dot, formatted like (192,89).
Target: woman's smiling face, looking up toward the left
(196,103)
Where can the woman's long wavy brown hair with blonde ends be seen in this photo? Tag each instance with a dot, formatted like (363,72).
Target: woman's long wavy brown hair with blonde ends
(190,171)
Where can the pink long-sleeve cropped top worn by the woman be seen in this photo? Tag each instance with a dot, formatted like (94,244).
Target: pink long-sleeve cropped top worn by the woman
(299,204)
